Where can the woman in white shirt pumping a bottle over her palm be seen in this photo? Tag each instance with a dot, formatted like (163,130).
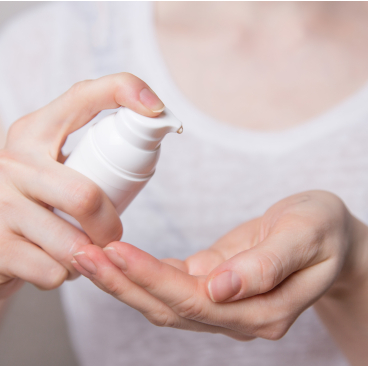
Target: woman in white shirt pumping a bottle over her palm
(263,77)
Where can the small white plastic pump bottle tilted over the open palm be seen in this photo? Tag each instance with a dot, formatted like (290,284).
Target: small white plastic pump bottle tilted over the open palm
(119,154)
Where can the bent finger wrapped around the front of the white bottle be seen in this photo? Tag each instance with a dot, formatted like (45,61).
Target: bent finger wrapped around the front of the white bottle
(73,193)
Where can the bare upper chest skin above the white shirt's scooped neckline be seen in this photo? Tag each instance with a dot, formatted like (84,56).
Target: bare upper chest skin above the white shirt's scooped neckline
(265,66)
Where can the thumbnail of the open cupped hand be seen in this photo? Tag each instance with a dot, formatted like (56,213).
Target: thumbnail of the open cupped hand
(224,286)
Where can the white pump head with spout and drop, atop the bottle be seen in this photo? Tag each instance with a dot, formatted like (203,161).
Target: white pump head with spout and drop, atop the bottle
(146,132)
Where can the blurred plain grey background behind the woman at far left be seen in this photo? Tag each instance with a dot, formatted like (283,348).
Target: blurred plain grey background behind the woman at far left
(33,330)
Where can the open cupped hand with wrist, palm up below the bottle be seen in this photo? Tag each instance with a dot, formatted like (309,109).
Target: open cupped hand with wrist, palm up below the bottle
(256,280)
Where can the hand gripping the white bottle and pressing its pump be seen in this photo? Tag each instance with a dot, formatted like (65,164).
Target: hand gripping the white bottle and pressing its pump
(36,245)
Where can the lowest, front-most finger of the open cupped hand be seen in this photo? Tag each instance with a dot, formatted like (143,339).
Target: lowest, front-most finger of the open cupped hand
(94,264)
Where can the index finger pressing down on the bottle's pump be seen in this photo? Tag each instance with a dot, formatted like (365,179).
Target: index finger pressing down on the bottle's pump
(51,124)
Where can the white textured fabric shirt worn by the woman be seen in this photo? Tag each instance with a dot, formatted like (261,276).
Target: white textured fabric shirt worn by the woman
(210,179)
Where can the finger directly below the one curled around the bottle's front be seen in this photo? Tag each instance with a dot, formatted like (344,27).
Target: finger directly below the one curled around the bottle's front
(39,225)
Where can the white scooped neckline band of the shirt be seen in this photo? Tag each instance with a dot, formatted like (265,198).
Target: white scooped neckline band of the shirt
(352,110)
